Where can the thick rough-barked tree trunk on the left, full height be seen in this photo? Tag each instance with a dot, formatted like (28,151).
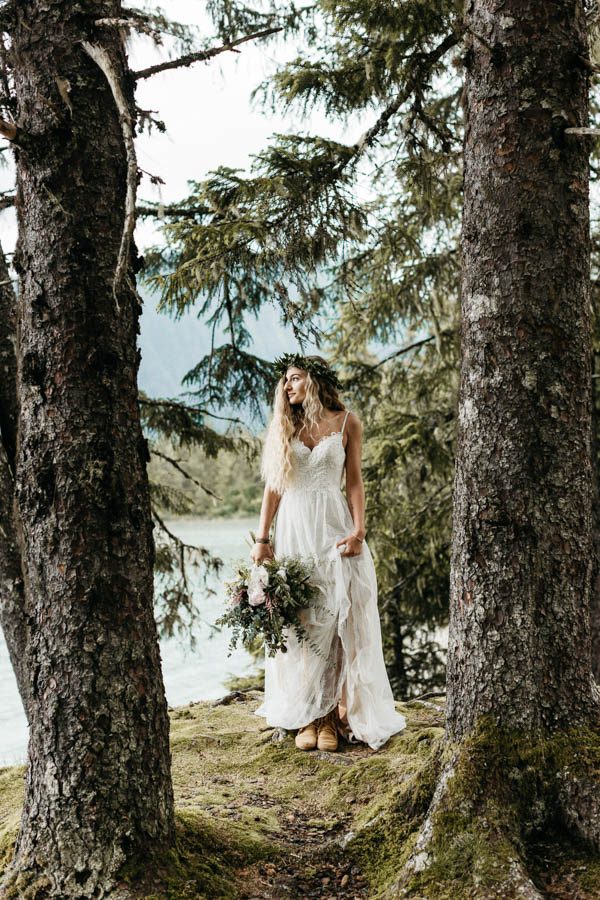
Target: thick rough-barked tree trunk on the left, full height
(98,784)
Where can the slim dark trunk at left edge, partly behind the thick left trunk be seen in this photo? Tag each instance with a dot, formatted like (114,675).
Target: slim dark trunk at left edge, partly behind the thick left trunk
(13,615)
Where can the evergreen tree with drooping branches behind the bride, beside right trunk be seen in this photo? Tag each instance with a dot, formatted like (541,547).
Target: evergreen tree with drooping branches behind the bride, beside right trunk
(361,239)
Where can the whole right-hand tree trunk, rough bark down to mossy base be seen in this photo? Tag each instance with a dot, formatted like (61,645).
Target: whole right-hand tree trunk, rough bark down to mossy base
(522,753)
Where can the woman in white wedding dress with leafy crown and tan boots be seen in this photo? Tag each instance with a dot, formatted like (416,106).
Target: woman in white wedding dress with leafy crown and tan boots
(337,683)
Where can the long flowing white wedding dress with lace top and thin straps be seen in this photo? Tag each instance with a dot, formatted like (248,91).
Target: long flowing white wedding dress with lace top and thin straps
(301,685)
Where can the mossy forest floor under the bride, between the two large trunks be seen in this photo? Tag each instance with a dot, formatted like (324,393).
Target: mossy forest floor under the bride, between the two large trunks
(257,818)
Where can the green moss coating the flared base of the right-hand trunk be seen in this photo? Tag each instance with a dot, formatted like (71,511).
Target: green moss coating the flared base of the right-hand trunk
(501,797)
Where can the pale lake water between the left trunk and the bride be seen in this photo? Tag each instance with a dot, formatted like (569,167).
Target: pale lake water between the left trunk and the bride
(189,675)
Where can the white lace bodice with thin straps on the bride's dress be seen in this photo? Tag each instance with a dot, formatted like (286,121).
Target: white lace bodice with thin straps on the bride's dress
(321,468)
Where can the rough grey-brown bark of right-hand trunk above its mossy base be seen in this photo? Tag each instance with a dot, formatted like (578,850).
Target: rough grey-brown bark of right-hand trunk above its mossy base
(519,646)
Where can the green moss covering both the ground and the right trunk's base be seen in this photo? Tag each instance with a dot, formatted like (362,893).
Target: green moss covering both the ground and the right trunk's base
(250,808)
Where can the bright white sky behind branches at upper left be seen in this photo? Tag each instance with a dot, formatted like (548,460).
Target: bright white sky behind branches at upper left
(209,117)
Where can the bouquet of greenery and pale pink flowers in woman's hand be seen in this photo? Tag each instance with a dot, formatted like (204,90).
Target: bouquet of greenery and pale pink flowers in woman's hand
(267,599)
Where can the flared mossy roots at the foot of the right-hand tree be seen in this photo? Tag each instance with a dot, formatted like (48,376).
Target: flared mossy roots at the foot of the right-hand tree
(496,796)
